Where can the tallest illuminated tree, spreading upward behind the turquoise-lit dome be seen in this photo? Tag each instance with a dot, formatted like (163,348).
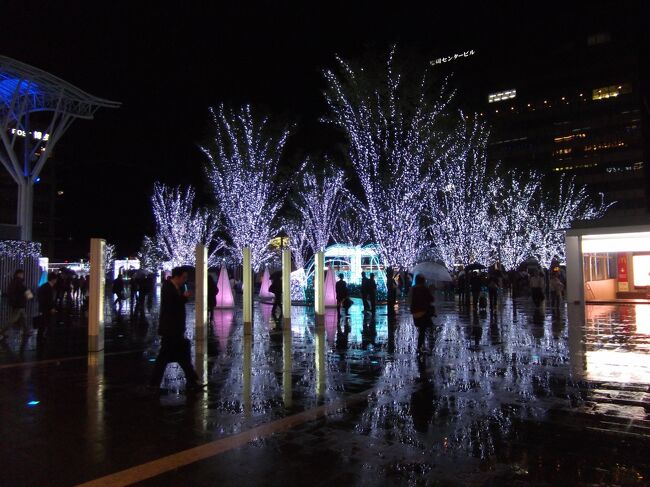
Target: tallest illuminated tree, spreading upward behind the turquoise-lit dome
(391,130)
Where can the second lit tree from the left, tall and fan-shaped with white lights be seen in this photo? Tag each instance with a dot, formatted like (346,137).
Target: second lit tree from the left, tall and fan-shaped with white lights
(242,168)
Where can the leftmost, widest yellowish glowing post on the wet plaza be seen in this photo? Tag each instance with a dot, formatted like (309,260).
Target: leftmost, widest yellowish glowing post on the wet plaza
(96,298)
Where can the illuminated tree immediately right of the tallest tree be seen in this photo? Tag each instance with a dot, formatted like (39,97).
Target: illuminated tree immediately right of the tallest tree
(461,210)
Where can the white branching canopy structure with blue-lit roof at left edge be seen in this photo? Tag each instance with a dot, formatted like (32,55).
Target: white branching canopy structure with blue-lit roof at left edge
(24,148)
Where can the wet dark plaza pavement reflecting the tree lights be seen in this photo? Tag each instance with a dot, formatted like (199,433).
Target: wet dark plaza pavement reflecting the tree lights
(557,397)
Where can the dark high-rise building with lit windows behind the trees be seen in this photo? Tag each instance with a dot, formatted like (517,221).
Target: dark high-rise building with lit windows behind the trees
(580,108)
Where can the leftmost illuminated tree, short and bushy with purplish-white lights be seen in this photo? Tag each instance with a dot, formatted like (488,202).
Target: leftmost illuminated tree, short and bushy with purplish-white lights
(180,227)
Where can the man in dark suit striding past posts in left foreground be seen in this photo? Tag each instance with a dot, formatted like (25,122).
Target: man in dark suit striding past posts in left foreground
(174,346)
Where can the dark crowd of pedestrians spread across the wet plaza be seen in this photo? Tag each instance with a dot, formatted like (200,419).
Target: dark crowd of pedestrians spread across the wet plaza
(474,287)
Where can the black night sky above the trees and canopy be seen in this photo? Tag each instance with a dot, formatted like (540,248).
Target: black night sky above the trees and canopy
(168,65)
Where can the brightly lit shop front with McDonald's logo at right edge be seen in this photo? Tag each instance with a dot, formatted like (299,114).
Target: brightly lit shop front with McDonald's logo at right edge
(608,264)
